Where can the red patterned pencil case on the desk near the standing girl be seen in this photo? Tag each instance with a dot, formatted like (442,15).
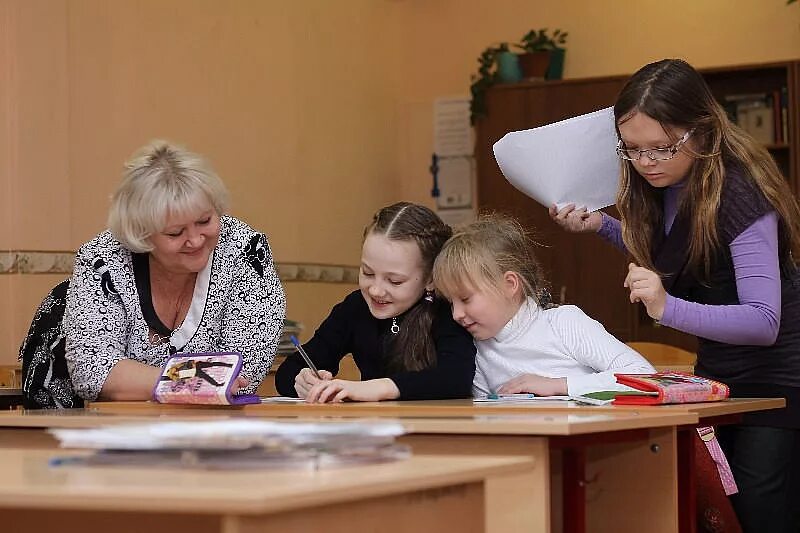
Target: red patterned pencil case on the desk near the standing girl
(669,387)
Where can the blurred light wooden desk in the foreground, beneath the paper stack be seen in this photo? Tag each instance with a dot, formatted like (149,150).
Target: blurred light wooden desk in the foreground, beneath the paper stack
(470,494)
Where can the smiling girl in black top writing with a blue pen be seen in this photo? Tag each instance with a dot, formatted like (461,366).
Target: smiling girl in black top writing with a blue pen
(402,337)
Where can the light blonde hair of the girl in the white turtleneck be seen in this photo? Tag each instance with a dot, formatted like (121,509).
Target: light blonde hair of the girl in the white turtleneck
(479,254)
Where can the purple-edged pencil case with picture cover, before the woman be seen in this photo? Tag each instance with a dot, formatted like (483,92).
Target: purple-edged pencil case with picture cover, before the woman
(201,378)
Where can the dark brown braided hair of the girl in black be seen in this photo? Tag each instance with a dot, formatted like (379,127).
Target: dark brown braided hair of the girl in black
(413,348)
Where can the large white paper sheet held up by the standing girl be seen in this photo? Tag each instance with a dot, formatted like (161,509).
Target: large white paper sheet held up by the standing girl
(569,162)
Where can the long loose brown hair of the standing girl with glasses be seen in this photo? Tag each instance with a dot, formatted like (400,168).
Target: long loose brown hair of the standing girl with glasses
(673,93)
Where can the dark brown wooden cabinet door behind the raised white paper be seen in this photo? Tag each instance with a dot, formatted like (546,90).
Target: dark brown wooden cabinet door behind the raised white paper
(582,269)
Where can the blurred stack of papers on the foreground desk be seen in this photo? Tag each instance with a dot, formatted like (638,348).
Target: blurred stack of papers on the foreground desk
(238,444)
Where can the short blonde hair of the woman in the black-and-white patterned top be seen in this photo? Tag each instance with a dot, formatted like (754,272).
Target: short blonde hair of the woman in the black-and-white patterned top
(161,179)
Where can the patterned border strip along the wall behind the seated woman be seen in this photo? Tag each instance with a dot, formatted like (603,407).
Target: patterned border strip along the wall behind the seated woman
(29,262)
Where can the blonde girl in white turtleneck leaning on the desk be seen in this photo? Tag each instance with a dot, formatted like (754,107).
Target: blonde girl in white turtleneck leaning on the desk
(525,343)
